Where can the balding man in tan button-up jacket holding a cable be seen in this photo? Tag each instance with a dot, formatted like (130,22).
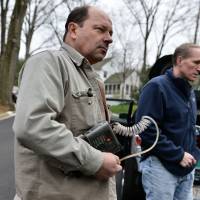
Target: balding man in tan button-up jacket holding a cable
(54,108)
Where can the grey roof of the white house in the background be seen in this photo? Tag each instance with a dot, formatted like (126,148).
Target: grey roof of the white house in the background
(117,78)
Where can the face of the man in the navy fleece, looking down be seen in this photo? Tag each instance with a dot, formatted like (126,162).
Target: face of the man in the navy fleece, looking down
(189,68)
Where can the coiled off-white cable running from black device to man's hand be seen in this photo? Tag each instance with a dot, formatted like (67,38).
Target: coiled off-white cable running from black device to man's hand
(136,129)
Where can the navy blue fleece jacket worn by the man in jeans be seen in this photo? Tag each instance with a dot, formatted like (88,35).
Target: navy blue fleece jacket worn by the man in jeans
(171,103)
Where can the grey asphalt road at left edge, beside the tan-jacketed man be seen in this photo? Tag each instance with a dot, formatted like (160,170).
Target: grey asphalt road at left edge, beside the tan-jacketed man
(6,160)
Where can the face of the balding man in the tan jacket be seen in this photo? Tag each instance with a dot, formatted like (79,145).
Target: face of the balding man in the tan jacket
(94,36)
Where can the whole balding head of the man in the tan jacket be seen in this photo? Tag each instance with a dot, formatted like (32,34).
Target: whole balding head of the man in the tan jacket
(89,31)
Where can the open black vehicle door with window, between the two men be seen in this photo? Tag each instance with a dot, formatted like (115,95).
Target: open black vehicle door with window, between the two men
(128,181)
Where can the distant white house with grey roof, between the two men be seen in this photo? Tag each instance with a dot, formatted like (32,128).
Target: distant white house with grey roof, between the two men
(121,85)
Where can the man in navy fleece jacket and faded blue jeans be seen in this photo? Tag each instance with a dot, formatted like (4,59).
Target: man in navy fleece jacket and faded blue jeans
(168,170)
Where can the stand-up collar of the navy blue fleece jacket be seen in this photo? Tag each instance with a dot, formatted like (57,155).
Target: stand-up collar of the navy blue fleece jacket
(182,84)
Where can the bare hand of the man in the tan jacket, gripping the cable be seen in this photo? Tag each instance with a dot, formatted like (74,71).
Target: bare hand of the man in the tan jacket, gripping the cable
(111,165)
